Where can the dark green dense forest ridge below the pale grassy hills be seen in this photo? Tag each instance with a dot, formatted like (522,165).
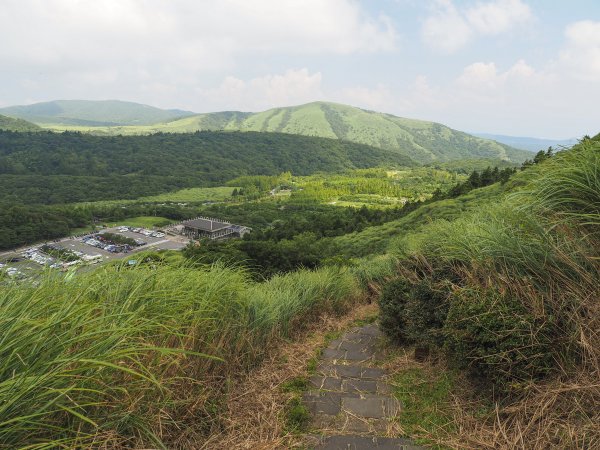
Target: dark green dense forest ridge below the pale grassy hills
(48,168)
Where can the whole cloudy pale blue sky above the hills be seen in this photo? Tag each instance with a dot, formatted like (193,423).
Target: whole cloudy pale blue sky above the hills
(515,67)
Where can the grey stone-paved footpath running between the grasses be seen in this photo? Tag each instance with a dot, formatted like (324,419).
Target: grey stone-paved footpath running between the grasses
(351,405)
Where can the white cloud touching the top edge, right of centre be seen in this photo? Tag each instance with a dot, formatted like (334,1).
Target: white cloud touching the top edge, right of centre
(449,28)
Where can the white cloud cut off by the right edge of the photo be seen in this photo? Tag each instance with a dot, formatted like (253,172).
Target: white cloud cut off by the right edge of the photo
(581,55)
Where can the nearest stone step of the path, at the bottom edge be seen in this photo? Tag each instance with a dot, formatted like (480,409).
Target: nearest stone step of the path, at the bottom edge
(357,442)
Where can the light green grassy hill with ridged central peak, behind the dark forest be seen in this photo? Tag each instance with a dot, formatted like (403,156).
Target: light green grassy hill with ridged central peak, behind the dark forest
(421,140)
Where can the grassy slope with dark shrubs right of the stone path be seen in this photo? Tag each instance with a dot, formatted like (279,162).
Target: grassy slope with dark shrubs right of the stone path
(519,303)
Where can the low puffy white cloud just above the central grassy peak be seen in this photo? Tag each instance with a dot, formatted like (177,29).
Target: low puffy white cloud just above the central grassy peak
(291,88)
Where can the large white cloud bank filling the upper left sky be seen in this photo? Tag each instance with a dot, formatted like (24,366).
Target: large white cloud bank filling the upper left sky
(121,48)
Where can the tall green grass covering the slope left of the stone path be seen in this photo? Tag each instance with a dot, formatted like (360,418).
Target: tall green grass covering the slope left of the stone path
(133,356)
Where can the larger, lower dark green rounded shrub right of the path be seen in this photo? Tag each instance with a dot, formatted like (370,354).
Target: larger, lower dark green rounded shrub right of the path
(497,339)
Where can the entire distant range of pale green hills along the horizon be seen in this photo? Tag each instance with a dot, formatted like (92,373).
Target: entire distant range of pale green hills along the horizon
(422,141)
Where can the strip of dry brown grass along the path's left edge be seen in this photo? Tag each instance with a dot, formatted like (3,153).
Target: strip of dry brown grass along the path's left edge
(254,414)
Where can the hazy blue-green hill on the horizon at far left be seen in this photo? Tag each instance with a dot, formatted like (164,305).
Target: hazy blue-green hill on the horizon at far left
(92,113)
